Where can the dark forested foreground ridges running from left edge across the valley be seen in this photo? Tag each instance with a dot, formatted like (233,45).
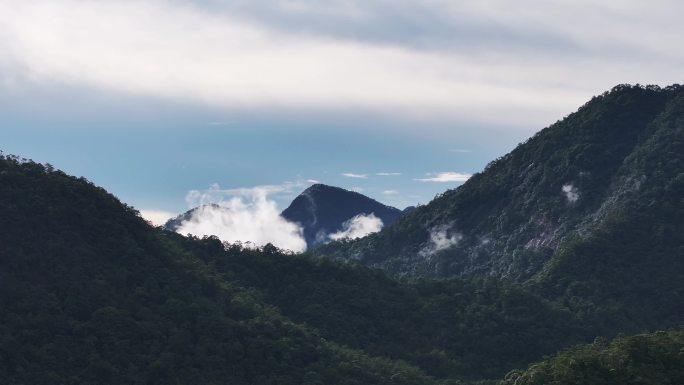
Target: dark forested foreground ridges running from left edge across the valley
(90,293)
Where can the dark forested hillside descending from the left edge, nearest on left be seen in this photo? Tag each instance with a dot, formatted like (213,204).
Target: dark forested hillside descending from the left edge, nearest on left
(91,294)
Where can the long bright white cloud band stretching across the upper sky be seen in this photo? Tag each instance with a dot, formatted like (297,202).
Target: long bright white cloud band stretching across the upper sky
(179,51)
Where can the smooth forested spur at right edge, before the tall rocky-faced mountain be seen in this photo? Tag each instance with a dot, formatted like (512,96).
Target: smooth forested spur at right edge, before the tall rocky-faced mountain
(630,259)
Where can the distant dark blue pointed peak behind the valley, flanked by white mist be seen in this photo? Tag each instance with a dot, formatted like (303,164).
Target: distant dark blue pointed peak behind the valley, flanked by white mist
(323,210)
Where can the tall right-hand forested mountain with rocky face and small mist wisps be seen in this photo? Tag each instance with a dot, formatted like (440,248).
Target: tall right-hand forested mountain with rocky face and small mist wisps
(515,220)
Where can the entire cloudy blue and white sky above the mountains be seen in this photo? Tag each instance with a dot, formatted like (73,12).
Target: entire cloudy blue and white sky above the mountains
(161,100)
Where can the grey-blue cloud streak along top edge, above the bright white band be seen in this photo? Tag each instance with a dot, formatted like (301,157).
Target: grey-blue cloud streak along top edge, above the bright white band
(525,27)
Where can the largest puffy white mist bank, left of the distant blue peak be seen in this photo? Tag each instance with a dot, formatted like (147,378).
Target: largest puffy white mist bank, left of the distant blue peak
(245,215)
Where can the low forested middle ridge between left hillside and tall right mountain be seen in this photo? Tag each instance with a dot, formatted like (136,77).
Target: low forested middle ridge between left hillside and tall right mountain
(456,328)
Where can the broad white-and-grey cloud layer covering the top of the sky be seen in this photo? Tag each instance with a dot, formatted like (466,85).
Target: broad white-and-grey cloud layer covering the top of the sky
(526,62)
